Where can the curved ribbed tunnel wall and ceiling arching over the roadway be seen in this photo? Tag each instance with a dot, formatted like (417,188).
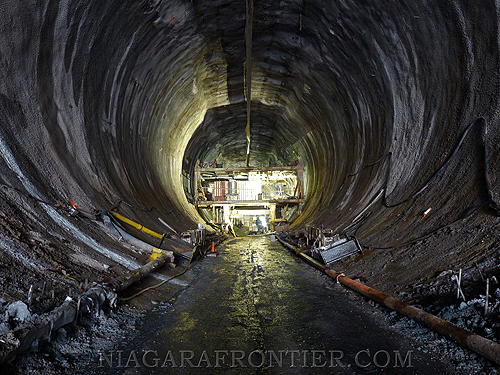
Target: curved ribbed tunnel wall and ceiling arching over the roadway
(392,108)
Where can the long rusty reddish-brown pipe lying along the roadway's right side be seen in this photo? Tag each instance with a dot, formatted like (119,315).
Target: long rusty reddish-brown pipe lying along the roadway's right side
(478,344)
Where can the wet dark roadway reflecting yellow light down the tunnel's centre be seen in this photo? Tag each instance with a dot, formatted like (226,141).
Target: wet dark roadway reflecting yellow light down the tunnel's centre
(256,309)
